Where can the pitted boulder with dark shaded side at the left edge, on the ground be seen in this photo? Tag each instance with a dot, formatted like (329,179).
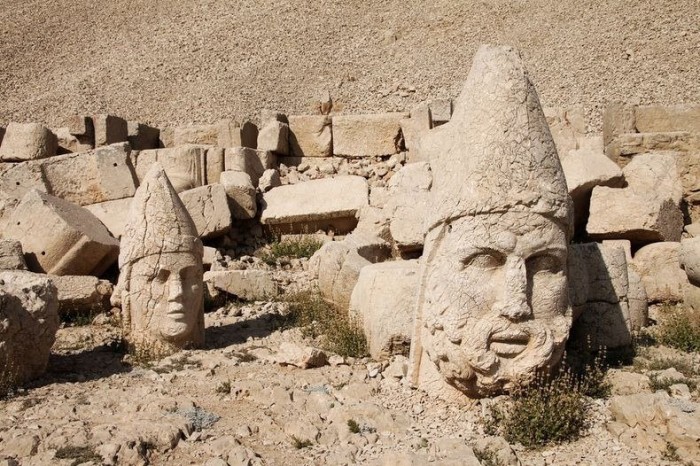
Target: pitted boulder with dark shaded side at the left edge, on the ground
(28,324)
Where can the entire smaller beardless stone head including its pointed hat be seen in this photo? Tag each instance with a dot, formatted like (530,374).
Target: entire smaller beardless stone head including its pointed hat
(161,271)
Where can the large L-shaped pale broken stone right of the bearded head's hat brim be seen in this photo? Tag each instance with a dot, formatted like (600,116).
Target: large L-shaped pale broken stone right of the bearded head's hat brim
(648,209)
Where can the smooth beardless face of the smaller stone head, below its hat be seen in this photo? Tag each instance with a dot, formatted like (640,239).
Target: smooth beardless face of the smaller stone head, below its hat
(166,297)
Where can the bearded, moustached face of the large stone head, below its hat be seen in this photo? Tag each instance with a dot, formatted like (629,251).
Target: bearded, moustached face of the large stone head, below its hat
(495,300)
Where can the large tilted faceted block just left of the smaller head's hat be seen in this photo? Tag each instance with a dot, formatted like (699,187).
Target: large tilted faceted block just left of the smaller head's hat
(59,237)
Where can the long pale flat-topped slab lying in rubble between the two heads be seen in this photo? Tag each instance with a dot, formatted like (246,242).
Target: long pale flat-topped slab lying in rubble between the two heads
(329,203)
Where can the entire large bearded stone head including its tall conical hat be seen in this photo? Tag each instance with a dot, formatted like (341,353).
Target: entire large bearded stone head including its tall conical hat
(493,306)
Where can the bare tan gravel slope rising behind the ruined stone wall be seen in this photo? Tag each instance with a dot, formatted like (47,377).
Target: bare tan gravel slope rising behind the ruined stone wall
(181,61)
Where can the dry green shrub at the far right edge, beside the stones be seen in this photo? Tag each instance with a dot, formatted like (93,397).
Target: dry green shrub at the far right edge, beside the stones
(680,329)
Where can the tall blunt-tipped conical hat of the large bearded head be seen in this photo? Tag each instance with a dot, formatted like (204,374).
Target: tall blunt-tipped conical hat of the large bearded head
(496,154)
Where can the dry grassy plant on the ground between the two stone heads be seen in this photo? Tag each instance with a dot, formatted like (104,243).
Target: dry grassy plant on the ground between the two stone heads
(337,331)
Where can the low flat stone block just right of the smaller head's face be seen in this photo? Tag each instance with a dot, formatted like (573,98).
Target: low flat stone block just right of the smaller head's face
(249,285)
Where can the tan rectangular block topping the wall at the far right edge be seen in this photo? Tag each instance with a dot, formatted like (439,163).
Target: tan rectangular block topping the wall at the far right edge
(664,118)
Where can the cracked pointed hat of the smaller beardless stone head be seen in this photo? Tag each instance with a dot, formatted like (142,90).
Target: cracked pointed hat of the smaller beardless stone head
(158,221)
